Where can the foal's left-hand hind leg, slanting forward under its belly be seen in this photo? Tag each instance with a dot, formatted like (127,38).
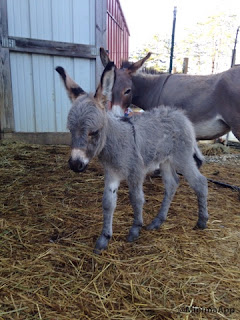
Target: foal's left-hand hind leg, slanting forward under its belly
(170,180)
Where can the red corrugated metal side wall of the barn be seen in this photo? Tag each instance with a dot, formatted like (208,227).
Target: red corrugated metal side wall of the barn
(118,33)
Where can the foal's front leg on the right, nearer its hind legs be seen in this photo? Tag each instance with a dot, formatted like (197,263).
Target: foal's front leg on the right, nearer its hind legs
(136,196)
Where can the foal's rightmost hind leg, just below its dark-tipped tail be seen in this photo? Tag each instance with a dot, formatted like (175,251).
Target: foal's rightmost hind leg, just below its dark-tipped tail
(199,184)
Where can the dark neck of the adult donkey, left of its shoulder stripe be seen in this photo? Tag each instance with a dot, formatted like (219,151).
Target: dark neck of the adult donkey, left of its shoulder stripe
(147,90)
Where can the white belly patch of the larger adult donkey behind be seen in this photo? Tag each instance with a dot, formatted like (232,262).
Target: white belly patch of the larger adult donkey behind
(211,128)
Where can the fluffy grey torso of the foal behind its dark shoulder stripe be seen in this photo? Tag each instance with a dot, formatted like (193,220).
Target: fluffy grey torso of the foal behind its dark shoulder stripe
(165,134)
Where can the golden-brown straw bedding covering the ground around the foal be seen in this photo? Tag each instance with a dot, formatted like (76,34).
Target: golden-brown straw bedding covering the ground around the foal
(50,219)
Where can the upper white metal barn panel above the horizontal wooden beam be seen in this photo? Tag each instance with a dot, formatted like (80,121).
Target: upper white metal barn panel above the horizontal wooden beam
(58,20)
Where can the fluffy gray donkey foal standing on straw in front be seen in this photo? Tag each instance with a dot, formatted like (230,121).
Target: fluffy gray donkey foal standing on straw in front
(163,138)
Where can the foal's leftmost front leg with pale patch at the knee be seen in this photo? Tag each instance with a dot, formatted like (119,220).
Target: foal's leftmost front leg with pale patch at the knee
(109,204)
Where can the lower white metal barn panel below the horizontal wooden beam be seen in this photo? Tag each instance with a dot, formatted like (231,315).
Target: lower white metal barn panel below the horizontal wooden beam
(39,98)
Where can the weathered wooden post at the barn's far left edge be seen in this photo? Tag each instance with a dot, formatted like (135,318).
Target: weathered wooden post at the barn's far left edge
(6,102)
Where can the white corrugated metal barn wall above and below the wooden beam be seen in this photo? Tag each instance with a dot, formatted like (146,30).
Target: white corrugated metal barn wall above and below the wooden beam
(40,103)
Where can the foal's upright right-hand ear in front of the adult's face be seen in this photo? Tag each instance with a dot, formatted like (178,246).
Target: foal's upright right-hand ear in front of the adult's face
(104,89)
